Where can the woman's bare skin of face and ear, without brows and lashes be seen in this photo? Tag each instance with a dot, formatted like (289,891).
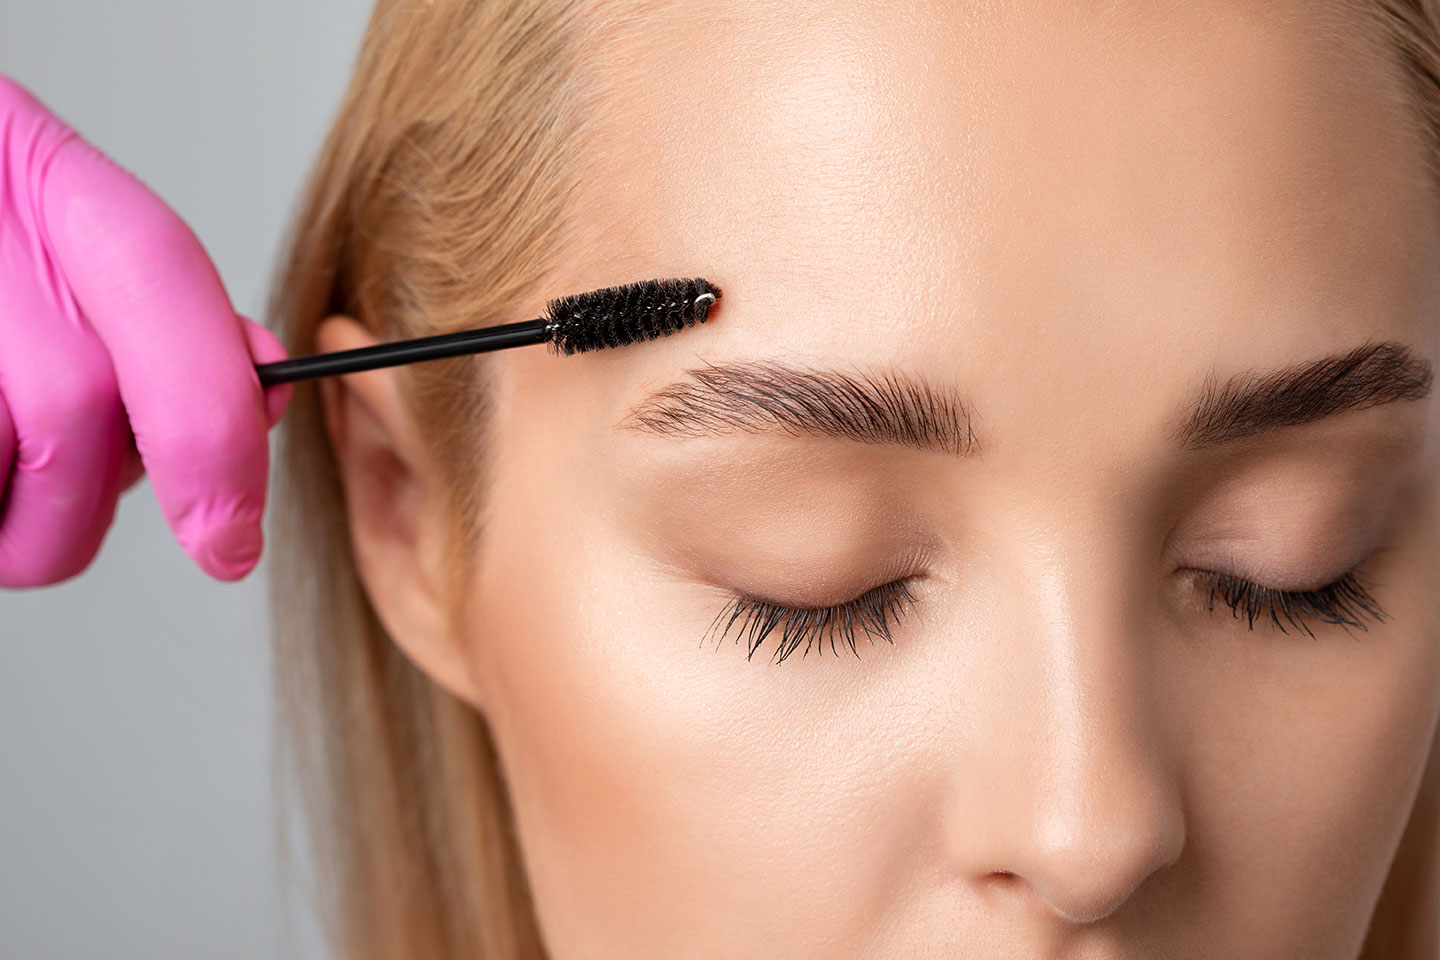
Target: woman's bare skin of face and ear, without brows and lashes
(1075,217)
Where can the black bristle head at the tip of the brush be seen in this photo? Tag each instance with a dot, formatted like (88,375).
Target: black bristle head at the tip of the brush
(627,314)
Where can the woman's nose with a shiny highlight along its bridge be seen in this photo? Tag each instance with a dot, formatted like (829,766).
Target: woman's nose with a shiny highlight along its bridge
(1084,802)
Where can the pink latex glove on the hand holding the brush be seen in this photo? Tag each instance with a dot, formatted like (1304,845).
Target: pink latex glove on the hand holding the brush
(120,356)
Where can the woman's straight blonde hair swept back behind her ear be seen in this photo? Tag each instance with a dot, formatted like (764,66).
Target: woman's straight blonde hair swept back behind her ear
(440,199)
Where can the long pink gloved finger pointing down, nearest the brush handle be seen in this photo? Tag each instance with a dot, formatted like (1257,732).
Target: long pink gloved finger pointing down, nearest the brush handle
(146,286)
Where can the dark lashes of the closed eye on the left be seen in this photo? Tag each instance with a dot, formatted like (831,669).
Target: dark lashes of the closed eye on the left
(870,612)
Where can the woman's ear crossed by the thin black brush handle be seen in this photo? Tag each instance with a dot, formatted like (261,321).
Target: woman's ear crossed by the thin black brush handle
(394,510)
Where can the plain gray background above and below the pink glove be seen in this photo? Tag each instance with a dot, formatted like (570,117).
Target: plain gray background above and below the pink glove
(136,788)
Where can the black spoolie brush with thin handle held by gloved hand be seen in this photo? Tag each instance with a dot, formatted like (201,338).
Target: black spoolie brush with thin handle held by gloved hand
(610,317)
